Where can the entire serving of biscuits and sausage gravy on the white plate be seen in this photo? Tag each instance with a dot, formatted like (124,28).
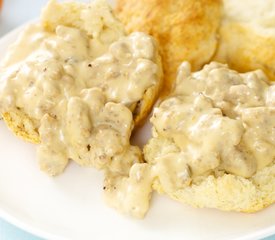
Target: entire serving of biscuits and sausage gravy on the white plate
(77,85)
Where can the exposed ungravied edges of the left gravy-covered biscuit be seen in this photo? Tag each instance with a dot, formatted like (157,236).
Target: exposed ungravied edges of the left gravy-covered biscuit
(80,17)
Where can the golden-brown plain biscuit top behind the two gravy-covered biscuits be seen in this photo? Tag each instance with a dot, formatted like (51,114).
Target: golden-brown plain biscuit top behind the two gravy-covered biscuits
(184,29)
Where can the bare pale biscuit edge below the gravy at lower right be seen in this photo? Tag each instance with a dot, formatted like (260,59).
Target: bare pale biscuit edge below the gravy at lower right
(227,192)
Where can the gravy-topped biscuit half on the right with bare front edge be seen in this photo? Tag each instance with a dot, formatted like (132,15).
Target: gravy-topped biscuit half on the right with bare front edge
(213,139)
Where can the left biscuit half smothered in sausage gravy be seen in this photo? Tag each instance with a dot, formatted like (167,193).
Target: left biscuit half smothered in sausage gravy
(77,85)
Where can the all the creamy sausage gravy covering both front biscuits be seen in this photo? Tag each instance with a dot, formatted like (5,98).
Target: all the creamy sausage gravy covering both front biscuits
(79,88)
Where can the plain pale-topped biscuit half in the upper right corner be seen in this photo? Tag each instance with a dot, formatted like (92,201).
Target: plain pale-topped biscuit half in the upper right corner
(247,36)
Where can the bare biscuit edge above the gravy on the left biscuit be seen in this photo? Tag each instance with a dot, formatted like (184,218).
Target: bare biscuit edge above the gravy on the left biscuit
(91,18)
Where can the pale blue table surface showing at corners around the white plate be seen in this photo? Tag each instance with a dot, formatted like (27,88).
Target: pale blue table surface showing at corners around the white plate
(15,13)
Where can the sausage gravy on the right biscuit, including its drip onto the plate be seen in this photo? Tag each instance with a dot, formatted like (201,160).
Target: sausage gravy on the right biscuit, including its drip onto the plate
(217,121)
